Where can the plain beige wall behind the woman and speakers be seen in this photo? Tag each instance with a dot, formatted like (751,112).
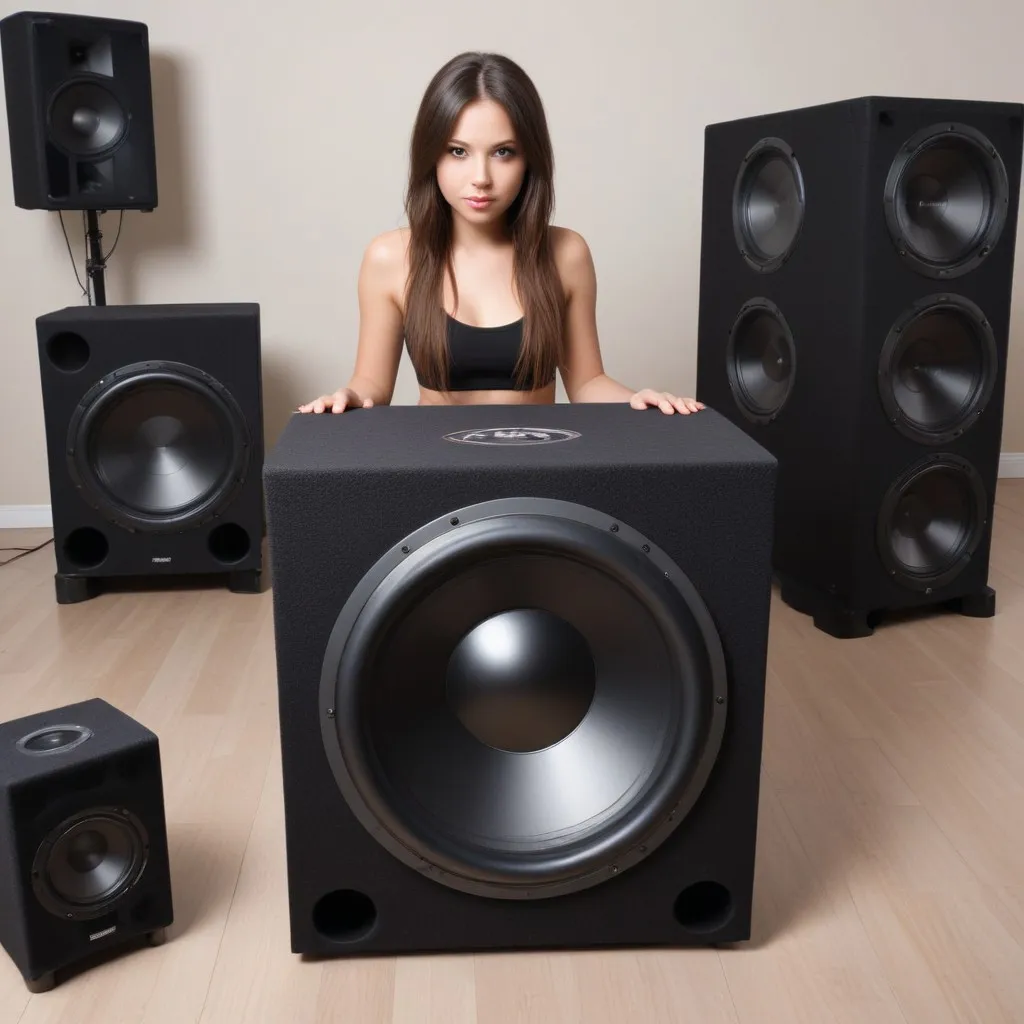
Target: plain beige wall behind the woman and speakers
(283,133)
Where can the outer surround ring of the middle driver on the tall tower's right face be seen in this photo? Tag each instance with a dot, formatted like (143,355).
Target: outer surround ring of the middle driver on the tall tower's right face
(990,358)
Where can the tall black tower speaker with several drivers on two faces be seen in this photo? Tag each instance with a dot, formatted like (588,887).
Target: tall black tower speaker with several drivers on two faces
(856,289)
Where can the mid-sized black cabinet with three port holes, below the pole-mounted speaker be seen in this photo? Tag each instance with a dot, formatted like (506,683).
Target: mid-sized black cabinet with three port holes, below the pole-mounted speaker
(155,440)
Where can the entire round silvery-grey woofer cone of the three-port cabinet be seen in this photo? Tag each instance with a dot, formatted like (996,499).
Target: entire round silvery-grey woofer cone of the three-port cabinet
(158,446)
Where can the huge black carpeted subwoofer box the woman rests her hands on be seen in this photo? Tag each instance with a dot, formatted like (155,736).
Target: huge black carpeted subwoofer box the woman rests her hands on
(522,670)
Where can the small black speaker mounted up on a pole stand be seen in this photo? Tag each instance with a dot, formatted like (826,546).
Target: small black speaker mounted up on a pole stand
(79,112)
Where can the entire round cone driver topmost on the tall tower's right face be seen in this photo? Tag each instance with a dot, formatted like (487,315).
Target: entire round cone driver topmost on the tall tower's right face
(947,199)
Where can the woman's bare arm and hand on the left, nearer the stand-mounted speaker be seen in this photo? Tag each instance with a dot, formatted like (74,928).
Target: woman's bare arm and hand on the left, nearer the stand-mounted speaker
(381,332)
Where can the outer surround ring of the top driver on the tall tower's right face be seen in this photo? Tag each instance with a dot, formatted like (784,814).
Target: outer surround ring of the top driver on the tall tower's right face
(909,152)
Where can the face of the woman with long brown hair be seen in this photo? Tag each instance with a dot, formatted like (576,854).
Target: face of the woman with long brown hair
(482,159)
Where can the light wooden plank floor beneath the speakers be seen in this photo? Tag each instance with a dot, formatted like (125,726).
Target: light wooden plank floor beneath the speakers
(890,883)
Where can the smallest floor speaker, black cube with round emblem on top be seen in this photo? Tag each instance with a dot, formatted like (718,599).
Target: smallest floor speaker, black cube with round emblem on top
(83,839)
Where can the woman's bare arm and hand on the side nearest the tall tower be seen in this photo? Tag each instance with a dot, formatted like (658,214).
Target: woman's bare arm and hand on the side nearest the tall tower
(584,374)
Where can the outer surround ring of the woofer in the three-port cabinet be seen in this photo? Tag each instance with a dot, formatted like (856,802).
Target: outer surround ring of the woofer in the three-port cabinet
(181,375)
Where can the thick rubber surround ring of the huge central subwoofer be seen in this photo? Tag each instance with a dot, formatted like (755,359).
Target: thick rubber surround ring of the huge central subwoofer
(406,847)
